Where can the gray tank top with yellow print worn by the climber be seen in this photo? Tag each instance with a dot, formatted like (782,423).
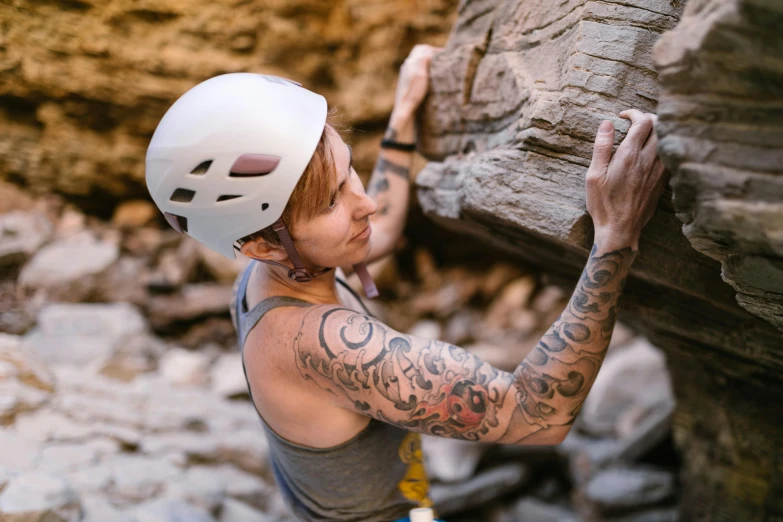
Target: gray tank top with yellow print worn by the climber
(377,475)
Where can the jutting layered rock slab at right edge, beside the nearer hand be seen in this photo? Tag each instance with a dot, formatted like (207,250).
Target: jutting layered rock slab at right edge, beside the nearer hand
(721,127)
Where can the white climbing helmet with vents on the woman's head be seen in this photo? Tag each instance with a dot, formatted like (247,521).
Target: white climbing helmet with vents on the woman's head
(227,155)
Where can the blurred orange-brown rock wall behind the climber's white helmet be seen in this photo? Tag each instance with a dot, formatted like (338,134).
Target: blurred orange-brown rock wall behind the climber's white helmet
(85,83)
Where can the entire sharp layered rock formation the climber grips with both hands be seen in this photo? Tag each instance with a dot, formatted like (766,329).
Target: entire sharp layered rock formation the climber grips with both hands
(516,100)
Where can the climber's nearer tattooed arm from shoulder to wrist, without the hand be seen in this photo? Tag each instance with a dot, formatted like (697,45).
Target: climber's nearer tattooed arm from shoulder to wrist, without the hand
(440,389)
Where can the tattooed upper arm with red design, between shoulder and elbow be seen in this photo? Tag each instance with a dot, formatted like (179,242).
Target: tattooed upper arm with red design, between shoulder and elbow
(422,385)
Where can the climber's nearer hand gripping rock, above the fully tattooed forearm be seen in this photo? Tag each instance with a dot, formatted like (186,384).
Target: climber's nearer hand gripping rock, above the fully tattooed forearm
(623,190)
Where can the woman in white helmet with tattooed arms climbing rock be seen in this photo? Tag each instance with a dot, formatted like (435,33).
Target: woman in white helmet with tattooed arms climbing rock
(251,163)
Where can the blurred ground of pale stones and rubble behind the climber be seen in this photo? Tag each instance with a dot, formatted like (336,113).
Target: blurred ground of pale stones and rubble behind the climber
(123,396)
